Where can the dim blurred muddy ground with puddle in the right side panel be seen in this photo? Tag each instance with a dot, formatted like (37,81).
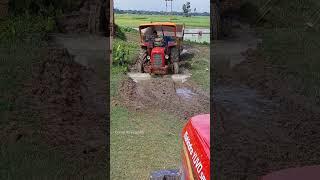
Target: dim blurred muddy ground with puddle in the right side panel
(262,125)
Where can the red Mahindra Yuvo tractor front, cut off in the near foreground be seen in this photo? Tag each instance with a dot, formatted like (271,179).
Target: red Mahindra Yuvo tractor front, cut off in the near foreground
(195,152)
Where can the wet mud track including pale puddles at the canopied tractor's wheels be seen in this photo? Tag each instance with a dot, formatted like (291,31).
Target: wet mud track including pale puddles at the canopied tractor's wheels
(173,93)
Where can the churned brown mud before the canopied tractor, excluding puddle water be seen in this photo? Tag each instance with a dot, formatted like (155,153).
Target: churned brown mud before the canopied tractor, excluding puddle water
(161,94)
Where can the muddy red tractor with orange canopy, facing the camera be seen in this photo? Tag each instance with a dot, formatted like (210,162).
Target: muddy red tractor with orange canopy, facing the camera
(160,47)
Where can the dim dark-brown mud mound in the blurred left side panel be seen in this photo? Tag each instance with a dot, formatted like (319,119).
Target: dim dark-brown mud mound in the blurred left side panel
(72,108)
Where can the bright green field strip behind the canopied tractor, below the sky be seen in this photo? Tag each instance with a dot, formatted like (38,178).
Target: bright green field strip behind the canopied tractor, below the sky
(133,20)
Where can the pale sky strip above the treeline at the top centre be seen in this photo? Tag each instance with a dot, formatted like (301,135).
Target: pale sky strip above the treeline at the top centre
(160,5)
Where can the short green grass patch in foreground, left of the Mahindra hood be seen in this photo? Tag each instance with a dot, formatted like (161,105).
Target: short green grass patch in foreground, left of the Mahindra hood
(143,142)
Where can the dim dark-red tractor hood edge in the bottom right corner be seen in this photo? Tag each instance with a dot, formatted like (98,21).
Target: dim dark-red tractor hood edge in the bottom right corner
(307,172)
